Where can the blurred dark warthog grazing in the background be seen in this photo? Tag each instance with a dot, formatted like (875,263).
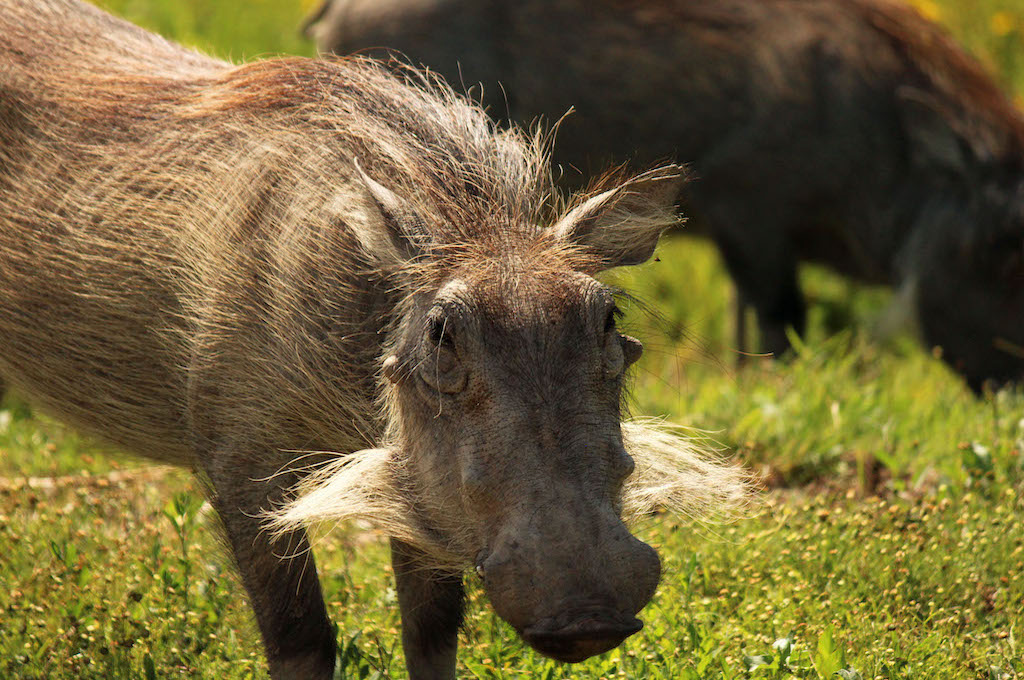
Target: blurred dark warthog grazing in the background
(849,133)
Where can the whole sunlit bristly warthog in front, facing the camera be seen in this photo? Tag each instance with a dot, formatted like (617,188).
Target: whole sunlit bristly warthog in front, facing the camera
(220,267)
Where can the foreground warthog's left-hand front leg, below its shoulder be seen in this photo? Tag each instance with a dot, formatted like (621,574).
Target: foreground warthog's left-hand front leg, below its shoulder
(281,579)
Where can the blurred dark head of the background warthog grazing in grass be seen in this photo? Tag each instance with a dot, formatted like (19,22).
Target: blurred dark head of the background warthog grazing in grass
(965,263)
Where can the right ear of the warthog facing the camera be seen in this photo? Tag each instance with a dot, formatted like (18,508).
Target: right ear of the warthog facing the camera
(623,225)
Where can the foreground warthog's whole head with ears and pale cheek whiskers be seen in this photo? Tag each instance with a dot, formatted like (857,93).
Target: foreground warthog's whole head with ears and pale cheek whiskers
(503,385)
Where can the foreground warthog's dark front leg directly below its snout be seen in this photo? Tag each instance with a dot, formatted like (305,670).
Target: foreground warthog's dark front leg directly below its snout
(432,604)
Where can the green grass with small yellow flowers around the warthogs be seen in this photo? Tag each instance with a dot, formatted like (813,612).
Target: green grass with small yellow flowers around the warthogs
(890,543)
